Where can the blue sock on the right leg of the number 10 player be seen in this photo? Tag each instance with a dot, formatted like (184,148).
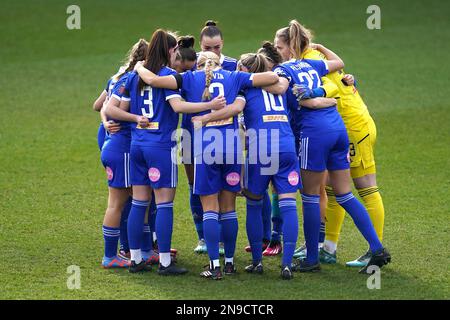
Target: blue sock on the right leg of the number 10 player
(288,211)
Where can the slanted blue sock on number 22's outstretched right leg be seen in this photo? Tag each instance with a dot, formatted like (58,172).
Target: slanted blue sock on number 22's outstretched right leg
(361,219)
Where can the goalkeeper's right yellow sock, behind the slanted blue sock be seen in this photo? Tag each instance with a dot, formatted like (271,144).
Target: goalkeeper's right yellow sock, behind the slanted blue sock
(374,205)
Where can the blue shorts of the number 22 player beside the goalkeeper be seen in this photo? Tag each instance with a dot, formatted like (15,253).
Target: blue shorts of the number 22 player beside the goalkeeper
(328,151)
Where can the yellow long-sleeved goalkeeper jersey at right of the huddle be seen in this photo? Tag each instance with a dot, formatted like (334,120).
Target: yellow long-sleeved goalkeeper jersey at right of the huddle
(350,104)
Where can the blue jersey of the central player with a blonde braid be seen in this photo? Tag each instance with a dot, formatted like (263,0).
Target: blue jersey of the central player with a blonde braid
(225,83)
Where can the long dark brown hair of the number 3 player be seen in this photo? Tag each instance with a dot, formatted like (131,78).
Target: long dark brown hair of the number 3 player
(157,54)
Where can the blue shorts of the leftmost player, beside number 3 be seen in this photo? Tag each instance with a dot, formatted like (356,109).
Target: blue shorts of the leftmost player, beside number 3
(117,166)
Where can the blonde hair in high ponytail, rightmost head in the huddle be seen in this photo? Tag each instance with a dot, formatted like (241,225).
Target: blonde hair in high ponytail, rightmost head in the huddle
(297,37)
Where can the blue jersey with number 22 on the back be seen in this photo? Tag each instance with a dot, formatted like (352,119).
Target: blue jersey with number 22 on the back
(309,73)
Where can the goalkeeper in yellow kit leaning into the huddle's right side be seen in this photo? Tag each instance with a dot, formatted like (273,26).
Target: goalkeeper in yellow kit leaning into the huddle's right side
(362,135)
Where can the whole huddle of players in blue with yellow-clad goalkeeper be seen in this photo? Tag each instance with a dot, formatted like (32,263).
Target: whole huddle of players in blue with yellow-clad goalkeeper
(290,102)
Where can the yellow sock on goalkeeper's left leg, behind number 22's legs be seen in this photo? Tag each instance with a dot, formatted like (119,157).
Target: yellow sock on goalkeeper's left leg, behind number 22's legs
(335,217)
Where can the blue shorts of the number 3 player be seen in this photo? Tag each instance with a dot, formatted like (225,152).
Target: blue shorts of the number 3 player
(155,167)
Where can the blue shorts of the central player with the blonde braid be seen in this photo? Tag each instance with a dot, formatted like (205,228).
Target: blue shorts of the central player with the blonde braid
(212,178)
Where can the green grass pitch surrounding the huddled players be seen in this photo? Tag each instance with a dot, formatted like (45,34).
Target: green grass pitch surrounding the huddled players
(53,191)
